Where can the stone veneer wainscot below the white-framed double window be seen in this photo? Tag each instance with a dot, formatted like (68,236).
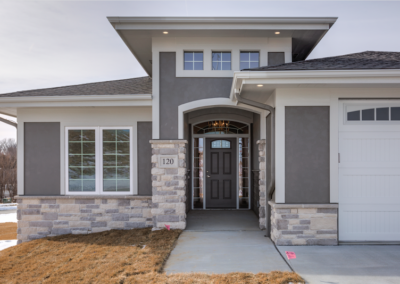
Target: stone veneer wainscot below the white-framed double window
(40,217)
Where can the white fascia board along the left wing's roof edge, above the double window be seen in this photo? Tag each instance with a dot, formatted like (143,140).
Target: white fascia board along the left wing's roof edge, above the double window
(77,101)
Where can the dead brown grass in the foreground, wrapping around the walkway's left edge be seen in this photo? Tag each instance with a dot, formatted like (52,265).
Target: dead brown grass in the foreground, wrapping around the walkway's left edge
(134,256)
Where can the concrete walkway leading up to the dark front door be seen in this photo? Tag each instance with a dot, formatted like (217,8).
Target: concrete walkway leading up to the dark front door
(221,242)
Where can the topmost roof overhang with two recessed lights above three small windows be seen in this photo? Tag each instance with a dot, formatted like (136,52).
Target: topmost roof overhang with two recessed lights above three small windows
(137,32)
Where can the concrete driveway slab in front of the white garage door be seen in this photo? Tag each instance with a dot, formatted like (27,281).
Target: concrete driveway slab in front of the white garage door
(347,264)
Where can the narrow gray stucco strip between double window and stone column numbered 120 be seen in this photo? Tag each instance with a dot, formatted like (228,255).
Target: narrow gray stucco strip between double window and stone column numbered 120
(144,153)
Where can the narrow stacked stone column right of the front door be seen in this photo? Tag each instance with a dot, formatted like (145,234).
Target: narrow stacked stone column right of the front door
(262,184)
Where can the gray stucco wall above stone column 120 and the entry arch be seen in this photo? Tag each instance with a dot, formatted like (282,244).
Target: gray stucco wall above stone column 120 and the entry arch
(176,91)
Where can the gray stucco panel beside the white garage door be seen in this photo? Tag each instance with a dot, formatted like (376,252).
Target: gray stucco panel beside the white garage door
(307,154)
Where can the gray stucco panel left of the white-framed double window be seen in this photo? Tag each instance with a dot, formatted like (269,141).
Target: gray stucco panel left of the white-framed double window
(42,158)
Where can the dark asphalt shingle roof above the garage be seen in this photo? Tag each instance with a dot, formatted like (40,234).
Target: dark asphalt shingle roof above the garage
(354,61)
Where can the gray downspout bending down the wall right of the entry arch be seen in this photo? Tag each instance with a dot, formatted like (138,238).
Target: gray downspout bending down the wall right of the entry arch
(271,187)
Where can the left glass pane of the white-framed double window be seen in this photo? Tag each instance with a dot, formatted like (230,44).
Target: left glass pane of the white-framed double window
(81,160)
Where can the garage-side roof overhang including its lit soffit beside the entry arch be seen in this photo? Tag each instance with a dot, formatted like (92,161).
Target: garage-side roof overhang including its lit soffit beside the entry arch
(245,82)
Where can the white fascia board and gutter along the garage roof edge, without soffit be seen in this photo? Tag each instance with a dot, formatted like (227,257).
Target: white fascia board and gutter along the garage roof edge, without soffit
(300,77)
